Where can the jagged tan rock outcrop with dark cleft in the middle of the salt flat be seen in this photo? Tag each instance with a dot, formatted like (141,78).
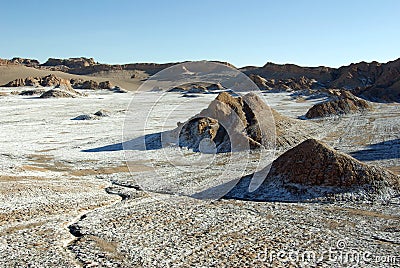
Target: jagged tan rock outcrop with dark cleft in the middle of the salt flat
(234,124)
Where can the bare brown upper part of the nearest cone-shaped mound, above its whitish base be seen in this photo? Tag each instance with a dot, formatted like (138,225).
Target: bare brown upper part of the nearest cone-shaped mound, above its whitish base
(315,163)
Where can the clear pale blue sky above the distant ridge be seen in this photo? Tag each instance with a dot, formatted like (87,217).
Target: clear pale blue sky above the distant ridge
(304,32)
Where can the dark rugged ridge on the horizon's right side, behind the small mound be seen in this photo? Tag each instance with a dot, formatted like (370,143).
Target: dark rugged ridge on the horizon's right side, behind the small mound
(374,81)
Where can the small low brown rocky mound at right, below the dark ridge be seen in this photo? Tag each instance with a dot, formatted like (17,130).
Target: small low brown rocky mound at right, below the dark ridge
(343,102)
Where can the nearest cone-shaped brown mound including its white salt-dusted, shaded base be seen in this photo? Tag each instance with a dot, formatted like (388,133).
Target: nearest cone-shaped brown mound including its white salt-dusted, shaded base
(313,170)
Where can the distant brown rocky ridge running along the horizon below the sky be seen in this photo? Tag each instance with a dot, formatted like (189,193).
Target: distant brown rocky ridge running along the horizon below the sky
(374,81)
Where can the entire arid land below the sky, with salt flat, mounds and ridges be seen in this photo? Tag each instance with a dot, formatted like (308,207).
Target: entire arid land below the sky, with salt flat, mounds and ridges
(86,180)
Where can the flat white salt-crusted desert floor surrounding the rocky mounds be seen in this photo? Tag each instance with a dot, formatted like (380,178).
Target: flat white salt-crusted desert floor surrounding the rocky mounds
(69,191)
